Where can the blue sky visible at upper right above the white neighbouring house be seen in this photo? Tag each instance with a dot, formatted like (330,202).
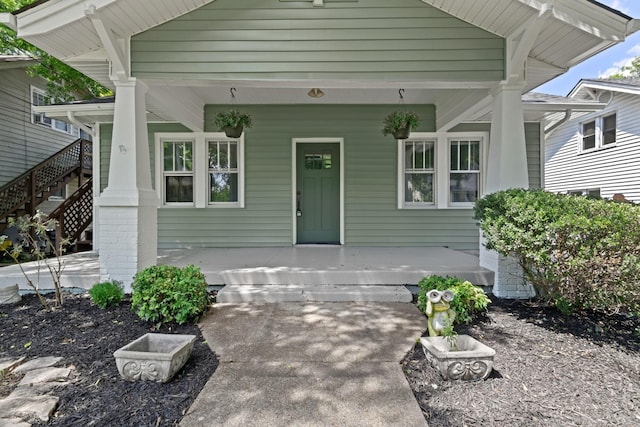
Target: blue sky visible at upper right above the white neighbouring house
(605,63)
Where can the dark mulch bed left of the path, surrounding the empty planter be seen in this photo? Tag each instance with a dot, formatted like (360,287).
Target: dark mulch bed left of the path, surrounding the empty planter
(86,338)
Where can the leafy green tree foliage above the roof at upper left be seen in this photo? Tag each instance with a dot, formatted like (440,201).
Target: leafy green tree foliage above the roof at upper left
(63,82)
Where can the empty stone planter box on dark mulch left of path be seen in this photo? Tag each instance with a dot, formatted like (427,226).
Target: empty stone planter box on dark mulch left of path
(154,357)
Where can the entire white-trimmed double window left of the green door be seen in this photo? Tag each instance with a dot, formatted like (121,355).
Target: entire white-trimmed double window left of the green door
(200,170)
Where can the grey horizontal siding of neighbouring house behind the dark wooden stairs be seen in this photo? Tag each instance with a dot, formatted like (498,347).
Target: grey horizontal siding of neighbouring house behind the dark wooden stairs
(23,144)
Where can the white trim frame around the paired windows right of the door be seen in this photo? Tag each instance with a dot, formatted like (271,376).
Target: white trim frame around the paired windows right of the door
(441,176)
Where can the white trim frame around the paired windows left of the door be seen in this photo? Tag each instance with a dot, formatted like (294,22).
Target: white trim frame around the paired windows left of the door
(200,168)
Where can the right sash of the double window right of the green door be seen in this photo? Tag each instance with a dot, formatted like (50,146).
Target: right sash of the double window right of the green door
(464,171)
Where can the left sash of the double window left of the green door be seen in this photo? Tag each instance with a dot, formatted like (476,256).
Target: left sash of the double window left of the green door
(178,171)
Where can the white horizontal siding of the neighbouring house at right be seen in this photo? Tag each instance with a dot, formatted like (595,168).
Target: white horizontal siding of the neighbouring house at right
(613,169)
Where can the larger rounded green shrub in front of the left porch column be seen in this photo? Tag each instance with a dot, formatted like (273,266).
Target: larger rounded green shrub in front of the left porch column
(165,294)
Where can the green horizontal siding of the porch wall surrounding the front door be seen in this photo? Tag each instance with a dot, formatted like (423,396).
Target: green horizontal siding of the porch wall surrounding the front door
(371,215)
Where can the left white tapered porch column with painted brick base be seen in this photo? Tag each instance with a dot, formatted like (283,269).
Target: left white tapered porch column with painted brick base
(128,205)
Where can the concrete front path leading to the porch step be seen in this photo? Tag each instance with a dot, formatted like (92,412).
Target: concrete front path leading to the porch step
(309,364)
